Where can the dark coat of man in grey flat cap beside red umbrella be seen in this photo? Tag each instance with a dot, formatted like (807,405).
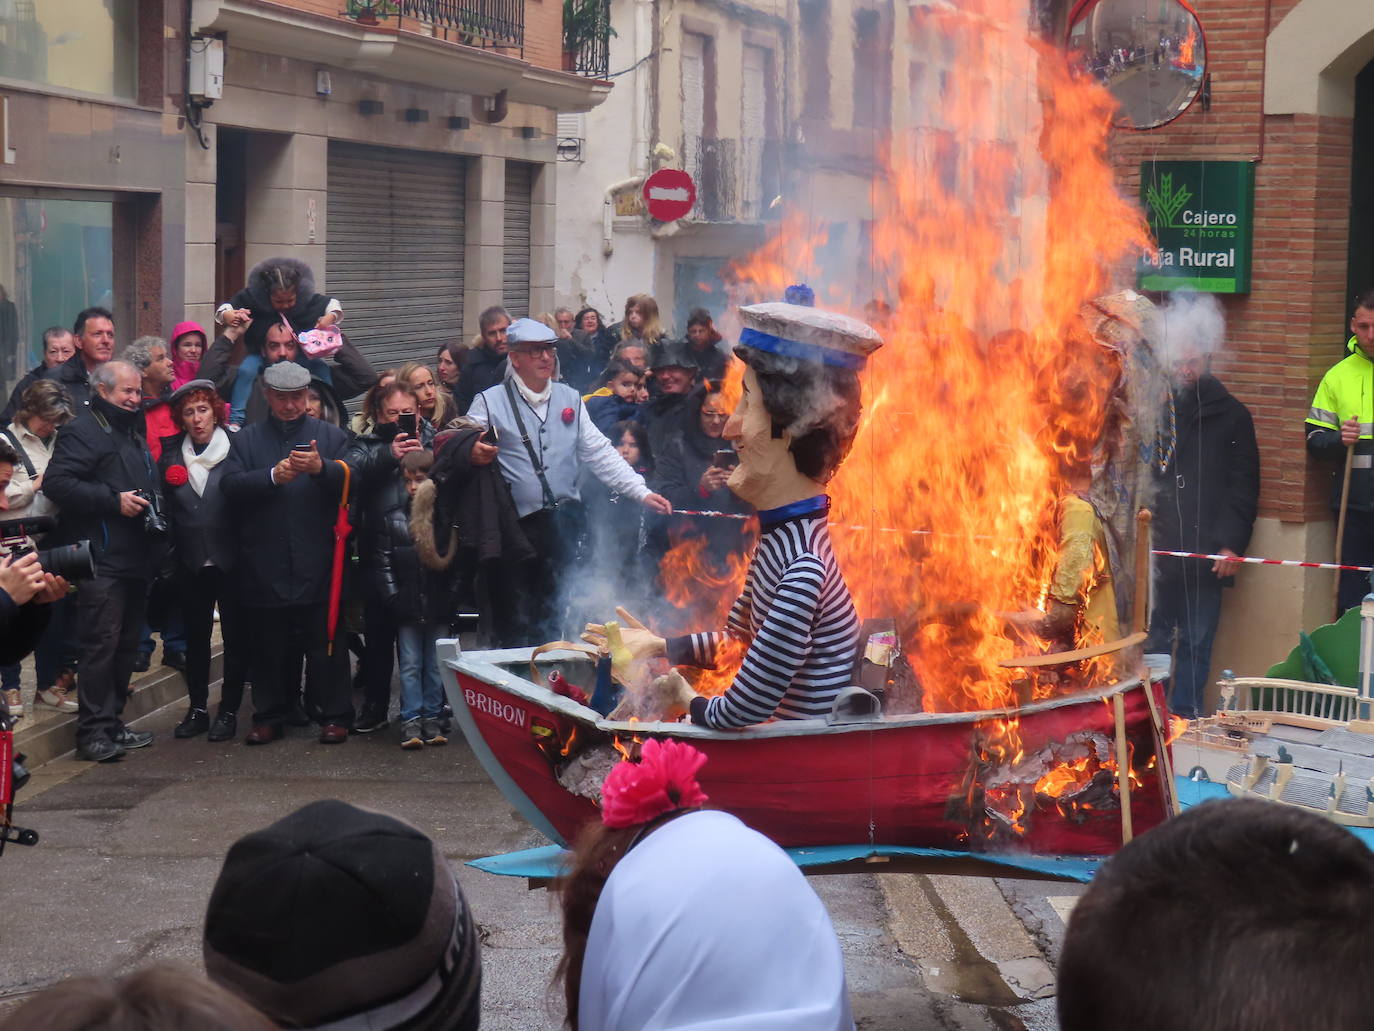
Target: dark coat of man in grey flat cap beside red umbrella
(286,533)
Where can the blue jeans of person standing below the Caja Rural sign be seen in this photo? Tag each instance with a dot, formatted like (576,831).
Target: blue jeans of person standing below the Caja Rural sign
(1188,599)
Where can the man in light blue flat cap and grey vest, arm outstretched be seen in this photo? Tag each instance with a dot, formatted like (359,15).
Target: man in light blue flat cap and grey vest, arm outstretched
(545,438)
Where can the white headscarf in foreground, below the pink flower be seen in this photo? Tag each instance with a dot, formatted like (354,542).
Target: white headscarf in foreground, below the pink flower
(708,924)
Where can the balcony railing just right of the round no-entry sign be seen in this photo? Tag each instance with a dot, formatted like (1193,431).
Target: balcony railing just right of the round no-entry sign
(737,181)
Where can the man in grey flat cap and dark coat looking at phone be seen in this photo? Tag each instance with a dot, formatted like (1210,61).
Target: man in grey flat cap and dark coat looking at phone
(285,479)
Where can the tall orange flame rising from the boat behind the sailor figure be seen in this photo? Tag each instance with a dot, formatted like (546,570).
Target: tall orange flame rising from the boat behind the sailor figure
(994,223)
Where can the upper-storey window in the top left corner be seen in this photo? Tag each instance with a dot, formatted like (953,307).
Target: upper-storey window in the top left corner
(91,46)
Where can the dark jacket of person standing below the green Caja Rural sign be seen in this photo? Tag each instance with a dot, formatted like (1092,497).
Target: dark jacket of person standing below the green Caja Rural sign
(1208,494)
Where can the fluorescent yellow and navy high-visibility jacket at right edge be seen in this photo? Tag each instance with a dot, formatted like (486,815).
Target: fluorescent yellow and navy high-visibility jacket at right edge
(1347,390)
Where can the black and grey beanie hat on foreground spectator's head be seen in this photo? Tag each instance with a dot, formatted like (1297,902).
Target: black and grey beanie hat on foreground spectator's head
(341,918)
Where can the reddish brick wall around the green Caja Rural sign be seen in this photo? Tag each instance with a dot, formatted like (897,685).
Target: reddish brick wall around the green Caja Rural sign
(1289,329)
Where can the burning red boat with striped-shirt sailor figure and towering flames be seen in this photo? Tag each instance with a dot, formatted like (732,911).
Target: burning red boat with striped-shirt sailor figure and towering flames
(987,689)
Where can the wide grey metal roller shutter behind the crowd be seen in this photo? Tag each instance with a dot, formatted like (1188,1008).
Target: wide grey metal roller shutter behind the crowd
(395,256)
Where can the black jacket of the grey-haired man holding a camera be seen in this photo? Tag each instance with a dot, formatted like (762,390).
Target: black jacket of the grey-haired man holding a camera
(97,457)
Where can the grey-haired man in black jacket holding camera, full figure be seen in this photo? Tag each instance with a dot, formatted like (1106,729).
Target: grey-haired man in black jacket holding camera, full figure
(104,482)
